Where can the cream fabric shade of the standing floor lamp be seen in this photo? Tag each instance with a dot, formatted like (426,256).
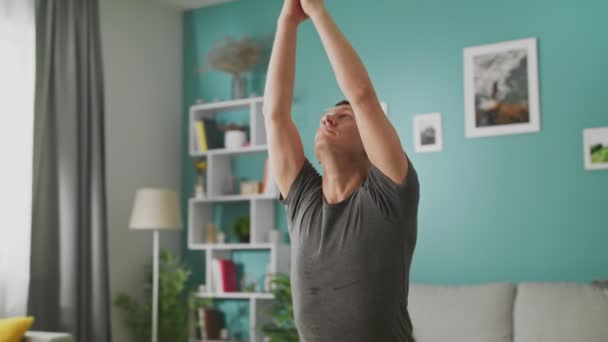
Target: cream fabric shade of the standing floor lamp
(155,209)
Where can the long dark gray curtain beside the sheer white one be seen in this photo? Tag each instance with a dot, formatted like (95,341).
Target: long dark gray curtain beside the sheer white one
(69,285)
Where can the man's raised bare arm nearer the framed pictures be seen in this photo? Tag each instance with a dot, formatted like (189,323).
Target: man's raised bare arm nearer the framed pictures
(379,137)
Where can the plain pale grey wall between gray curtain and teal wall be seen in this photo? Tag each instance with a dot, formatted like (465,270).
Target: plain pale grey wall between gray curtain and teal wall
(142,50)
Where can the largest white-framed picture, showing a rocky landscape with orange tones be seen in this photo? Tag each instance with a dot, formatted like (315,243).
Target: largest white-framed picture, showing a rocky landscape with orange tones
(501,88)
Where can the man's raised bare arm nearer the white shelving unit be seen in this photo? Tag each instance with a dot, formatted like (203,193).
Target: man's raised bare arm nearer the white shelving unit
(285,150)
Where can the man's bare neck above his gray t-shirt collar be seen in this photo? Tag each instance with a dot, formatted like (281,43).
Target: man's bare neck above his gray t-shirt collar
(341,179)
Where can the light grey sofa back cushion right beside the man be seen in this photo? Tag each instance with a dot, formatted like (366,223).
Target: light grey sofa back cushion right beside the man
(462,313)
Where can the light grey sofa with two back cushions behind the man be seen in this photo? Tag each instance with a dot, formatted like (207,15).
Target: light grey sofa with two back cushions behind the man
(504,312)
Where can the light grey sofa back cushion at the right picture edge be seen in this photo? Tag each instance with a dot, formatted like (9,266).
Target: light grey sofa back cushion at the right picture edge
(560,312)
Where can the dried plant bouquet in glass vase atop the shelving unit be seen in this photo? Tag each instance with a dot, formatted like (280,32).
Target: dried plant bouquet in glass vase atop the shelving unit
(237,58)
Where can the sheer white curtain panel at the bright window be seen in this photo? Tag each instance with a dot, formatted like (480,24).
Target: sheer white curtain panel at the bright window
(17,83)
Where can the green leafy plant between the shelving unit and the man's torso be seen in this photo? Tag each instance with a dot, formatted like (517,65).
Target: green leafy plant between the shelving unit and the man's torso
(282,327)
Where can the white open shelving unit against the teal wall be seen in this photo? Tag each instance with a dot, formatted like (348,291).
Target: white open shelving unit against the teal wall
(261,207)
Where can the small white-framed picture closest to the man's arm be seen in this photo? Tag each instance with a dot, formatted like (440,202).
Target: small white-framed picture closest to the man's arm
(428,133)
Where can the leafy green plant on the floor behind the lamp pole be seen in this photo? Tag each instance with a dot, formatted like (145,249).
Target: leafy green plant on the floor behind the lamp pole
(176,297)
